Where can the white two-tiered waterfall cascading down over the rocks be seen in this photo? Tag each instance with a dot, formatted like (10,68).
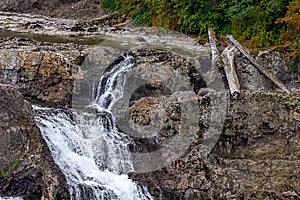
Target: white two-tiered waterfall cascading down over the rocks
(88,147)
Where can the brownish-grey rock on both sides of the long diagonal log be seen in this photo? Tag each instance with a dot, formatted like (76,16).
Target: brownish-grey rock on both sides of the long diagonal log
(276,61)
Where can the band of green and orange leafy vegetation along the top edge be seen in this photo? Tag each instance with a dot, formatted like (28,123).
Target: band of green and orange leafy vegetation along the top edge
(261,23)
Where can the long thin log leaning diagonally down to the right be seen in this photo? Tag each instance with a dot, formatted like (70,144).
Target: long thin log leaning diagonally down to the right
(257,65)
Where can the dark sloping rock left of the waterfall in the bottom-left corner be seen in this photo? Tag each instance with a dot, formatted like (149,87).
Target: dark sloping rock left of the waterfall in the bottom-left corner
(26,166)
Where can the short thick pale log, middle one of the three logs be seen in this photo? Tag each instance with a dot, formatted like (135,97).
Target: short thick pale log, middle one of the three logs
(227,57)
